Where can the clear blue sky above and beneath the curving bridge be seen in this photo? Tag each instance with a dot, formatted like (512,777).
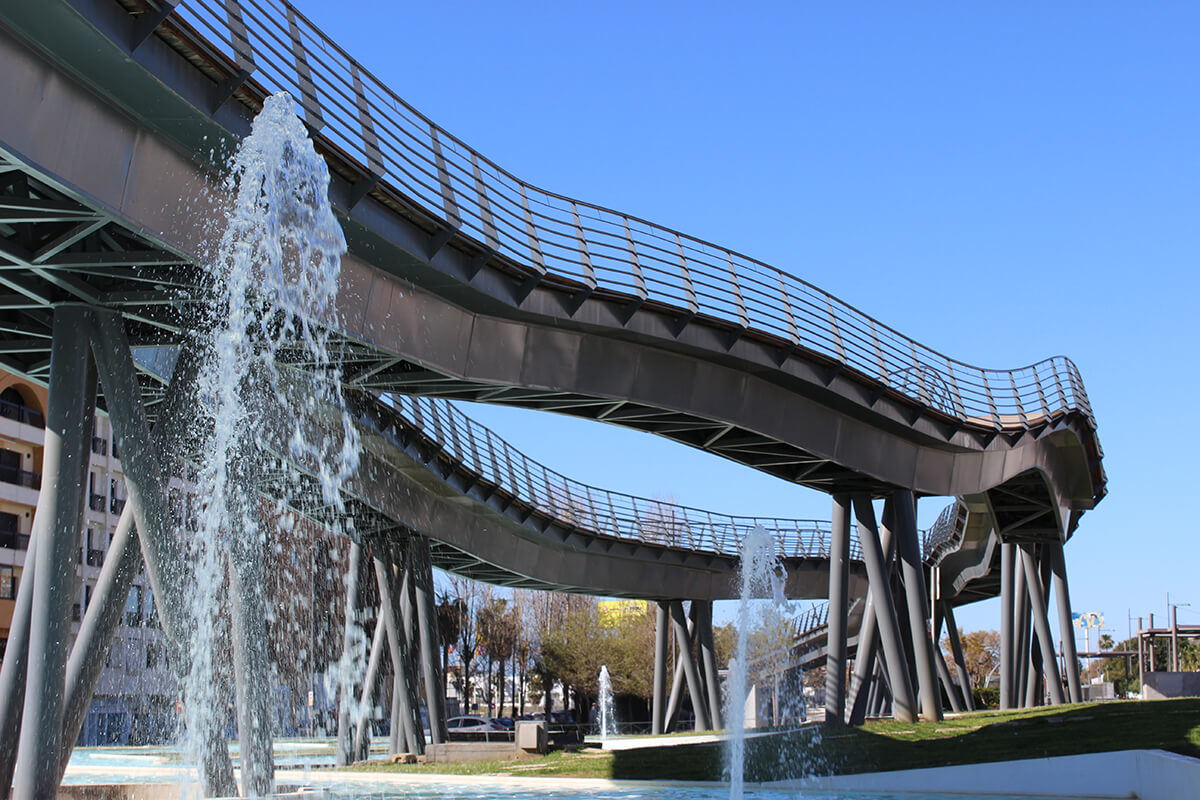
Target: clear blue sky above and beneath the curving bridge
(1004,184)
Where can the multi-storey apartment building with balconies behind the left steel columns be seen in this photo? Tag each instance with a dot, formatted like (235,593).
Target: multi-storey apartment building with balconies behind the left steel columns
(136,695)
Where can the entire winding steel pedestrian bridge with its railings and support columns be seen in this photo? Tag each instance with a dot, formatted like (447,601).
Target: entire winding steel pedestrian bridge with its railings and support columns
(464,281)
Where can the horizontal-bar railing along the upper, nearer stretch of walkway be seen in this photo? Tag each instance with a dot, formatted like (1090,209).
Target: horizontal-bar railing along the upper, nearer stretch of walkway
(267,46)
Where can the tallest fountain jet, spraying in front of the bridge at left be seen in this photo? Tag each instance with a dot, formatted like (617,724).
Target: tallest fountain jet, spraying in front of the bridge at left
(275,285)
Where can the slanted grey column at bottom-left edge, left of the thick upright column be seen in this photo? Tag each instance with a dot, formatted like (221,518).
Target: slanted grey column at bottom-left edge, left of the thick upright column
(14,671)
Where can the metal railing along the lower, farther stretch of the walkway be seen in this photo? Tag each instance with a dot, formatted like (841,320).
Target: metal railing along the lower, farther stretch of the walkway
(596,510)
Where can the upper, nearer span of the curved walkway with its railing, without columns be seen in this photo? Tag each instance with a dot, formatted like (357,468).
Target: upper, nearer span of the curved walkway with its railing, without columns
(464,281)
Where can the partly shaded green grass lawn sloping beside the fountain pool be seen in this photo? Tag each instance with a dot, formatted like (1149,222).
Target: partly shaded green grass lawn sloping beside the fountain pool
(886,745)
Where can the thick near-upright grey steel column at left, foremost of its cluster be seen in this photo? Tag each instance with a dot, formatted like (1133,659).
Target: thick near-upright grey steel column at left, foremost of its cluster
(69,425)
